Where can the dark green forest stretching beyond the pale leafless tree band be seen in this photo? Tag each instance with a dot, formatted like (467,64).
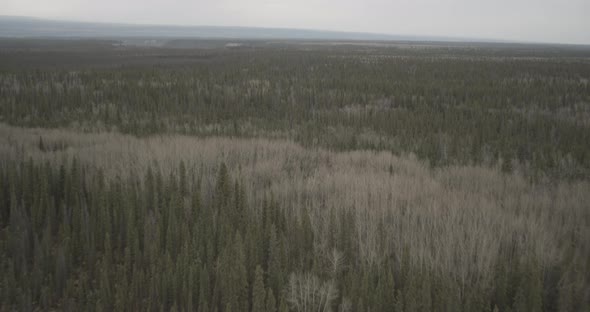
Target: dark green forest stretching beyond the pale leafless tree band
(450,106)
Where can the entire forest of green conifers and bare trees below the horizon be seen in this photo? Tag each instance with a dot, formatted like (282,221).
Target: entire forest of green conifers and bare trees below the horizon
(294,176)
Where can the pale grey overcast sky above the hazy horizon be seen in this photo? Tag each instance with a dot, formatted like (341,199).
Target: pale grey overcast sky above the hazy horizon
(562,21)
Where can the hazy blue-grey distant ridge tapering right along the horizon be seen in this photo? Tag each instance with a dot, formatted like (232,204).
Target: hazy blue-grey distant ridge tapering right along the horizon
(29,27)
